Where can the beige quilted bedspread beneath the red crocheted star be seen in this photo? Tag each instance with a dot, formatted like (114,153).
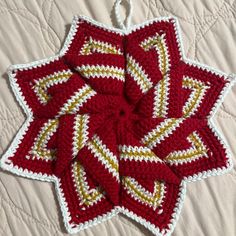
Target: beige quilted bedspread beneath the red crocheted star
(31,30)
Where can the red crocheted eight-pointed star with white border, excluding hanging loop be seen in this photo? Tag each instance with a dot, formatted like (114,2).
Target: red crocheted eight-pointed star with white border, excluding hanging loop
(119,121)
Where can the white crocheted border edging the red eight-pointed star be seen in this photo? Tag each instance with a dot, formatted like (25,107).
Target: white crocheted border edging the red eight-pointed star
(6,164)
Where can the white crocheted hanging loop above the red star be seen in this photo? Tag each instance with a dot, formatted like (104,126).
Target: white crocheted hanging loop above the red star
(118,17)
